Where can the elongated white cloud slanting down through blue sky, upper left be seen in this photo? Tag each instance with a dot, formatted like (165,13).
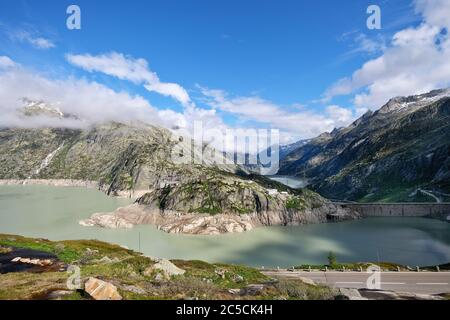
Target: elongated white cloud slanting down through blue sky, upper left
(134,70)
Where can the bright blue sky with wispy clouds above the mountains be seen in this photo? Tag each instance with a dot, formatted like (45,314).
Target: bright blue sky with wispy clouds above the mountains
(285,58)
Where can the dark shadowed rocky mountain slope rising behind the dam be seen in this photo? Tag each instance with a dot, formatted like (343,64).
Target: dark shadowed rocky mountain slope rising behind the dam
(399,153)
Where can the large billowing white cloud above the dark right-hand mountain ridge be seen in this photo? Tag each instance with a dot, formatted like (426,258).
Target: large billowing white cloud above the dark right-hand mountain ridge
(416,61)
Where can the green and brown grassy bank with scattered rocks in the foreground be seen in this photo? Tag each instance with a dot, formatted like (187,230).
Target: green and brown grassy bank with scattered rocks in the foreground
(201,280)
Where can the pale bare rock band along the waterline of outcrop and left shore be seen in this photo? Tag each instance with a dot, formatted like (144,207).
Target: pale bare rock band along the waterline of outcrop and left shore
(192,223)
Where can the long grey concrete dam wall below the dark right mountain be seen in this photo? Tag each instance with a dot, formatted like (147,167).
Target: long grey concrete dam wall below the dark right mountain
(434,210)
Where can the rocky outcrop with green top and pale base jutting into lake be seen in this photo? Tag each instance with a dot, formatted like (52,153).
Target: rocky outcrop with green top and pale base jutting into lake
(215,202)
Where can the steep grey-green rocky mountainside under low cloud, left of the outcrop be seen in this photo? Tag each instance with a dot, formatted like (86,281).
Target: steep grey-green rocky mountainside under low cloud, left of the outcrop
(122,158)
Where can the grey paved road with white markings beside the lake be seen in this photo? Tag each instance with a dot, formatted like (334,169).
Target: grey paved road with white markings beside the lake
(422,282)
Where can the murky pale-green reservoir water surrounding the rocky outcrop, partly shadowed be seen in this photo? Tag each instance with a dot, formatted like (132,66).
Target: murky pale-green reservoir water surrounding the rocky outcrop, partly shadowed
(53,213)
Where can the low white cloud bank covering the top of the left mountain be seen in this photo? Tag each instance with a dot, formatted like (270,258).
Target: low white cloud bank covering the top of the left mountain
(91,102)
